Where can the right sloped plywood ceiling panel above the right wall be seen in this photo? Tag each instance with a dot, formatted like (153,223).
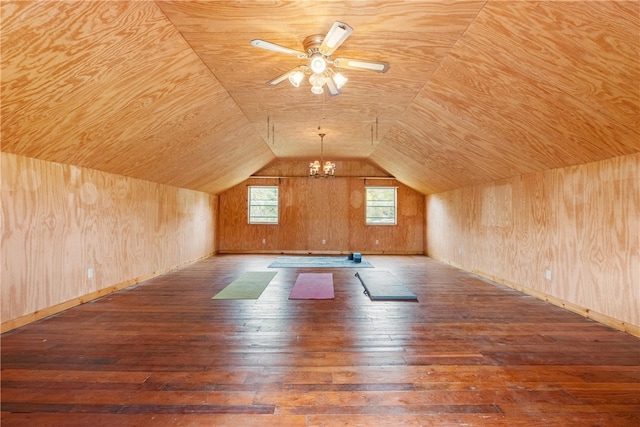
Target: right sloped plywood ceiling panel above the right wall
(530,86)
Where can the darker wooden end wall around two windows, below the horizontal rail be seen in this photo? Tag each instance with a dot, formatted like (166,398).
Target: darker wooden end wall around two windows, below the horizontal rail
(313,210)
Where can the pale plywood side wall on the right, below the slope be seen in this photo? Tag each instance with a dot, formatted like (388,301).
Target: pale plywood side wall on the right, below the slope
(581,223)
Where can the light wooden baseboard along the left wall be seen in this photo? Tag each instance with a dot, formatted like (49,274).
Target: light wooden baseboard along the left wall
(58,308)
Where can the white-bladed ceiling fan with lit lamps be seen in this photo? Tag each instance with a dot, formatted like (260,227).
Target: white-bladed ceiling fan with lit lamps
(318,50)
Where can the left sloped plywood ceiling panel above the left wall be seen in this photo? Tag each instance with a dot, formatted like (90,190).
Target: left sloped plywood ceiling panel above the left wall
(113,86)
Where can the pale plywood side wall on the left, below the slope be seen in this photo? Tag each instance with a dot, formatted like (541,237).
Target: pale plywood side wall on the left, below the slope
(58,221)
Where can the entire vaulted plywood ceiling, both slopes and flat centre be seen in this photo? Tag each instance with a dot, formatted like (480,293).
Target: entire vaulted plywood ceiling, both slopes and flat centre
(173,92)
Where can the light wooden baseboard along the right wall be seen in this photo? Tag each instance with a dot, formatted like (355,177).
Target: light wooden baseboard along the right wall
(574,308)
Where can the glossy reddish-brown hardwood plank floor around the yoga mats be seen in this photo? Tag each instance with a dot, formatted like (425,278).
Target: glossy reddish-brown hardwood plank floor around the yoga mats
(469,352)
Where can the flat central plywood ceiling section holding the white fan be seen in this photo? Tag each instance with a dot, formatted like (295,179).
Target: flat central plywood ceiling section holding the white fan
(413,36)
